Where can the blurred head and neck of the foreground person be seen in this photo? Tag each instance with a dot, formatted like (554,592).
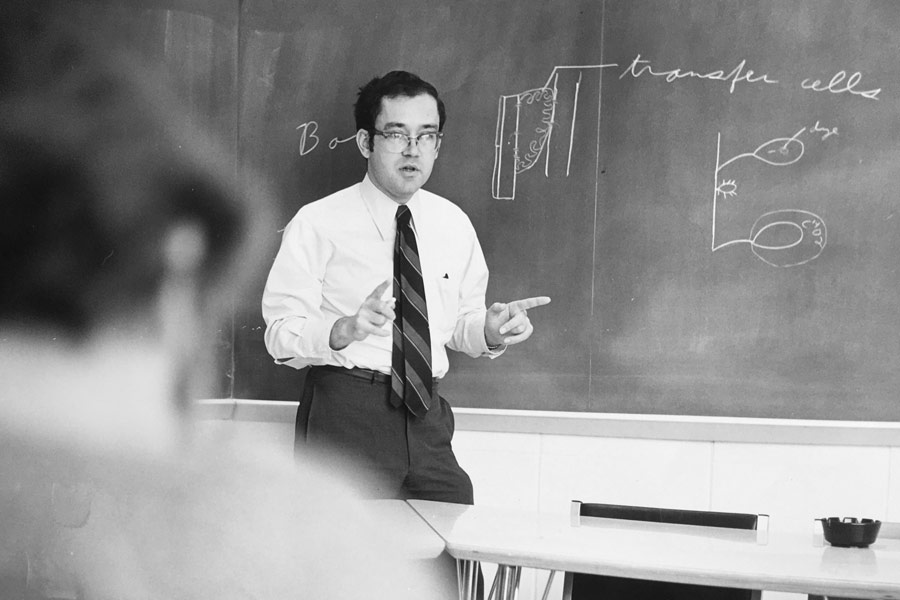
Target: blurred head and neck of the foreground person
(119,223)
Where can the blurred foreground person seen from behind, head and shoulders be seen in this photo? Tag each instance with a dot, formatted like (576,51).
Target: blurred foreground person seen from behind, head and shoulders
(123,236)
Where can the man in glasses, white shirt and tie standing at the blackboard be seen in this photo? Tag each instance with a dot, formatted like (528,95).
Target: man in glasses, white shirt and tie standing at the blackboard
(338,299)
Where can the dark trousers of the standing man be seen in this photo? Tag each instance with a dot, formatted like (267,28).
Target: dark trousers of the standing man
(396,454)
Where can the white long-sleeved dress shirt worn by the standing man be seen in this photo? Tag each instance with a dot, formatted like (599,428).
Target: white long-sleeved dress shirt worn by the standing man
(337,250)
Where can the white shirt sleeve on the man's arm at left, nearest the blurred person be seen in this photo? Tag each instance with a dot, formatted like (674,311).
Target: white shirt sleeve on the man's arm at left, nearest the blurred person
(297,331)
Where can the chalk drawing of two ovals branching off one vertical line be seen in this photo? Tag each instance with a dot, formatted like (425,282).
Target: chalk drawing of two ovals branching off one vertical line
(780,238)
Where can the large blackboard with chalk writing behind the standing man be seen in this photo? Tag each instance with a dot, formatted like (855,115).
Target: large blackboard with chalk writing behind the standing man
(707,189)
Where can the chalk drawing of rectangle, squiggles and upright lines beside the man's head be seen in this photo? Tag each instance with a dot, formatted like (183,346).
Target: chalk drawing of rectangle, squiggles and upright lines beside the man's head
(527,121)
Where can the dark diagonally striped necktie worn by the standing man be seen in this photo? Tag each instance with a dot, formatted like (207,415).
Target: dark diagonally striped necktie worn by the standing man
(411,376)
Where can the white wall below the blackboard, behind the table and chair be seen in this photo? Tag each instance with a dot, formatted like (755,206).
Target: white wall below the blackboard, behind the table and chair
(829,469)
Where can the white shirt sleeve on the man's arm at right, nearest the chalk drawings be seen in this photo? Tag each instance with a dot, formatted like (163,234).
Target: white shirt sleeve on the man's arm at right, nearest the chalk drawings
(468,335)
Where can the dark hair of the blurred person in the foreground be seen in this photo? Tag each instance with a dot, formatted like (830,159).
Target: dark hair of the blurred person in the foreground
(97,165)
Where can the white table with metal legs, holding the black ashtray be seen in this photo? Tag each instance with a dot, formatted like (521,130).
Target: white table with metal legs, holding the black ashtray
(787,562)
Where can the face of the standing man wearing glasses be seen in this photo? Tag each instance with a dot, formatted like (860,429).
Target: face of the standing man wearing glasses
(400,175)
